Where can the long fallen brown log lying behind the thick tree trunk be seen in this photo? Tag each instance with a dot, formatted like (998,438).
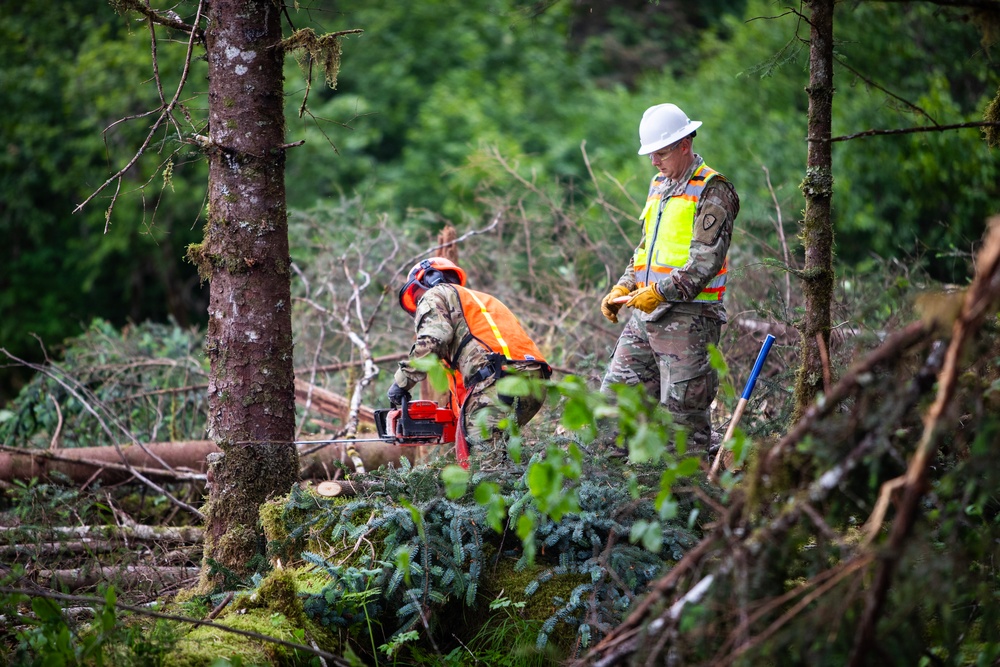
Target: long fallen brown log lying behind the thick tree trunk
(187,459)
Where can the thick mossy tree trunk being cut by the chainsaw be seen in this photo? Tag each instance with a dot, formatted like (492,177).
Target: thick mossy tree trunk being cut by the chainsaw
(249,341)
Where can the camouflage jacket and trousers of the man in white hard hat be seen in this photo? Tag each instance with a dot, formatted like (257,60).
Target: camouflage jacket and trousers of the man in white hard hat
(667,350)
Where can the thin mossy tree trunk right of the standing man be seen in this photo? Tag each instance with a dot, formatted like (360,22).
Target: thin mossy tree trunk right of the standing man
(817,227)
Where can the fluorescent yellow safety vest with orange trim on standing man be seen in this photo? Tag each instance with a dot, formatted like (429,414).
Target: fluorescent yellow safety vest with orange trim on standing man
(668,232)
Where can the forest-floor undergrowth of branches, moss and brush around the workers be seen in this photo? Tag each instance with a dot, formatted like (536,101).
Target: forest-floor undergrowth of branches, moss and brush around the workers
(865,533)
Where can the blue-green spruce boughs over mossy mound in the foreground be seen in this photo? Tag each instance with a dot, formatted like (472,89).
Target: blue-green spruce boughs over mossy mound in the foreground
(429,552)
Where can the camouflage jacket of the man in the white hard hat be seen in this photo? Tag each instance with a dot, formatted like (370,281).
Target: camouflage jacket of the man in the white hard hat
(709,247)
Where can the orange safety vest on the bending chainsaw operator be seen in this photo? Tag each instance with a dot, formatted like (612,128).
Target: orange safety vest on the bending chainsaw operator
(492,325)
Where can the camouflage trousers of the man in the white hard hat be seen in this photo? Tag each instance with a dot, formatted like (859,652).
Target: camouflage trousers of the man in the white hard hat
(670,357)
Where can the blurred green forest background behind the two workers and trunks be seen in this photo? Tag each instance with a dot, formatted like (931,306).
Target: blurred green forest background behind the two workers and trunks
(524,114)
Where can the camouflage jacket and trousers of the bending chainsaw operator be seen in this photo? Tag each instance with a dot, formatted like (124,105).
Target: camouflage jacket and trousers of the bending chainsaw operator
(441,327)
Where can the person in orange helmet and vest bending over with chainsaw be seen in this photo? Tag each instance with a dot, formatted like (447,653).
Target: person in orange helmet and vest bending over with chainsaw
(480,340)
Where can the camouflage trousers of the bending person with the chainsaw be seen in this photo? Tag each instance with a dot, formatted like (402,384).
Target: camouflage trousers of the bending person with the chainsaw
(483,412)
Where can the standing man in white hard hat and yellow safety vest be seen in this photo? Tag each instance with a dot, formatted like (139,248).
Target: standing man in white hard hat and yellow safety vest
(676,278)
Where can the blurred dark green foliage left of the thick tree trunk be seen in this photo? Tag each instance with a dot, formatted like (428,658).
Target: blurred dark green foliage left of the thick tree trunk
(69,72)
